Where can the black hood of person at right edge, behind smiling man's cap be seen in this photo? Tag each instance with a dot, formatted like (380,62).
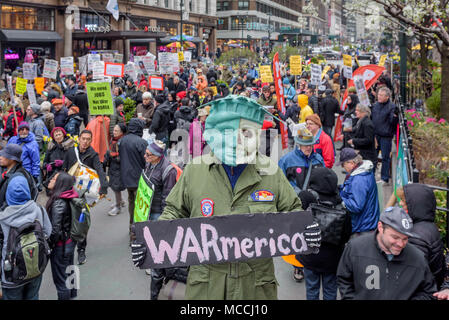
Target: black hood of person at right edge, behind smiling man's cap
(421,202)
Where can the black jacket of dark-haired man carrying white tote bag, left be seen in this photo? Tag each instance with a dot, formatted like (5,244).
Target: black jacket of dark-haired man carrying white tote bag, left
(89,158)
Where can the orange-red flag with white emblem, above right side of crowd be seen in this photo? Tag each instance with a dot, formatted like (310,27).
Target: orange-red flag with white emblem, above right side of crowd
(370,74)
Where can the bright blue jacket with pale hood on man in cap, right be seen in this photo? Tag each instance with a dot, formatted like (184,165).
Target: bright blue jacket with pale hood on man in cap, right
(359,193)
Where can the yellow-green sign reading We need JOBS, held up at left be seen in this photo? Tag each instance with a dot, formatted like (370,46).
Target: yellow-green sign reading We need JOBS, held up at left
(99,98)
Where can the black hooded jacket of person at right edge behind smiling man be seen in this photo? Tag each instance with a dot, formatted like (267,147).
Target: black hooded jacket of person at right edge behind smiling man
(421,204)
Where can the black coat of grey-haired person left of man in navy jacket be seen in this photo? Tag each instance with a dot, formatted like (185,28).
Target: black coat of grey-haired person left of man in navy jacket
(363,139)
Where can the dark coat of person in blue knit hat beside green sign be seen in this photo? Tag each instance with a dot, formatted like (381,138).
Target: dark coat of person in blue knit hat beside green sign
(162,183)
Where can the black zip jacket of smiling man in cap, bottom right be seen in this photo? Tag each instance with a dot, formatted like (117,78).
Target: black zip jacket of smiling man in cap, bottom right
(364,272)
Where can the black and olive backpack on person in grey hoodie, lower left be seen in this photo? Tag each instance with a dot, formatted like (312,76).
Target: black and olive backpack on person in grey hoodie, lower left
(27,253)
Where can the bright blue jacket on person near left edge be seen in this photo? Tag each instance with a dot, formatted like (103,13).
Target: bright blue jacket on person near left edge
(30,153)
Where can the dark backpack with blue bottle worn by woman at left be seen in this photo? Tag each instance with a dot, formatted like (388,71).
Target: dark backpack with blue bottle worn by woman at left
(80,223)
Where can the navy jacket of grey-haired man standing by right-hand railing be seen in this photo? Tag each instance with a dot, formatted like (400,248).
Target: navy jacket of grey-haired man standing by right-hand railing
(384,119)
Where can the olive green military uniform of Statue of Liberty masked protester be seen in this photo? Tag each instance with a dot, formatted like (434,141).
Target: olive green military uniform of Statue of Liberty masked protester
(251,279)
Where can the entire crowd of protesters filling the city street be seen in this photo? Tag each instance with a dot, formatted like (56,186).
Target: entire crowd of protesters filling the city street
(398,250)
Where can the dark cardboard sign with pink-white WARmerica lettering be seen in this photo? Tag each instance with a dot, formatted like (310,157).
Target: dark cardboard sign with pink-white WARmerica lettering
(220,239)
